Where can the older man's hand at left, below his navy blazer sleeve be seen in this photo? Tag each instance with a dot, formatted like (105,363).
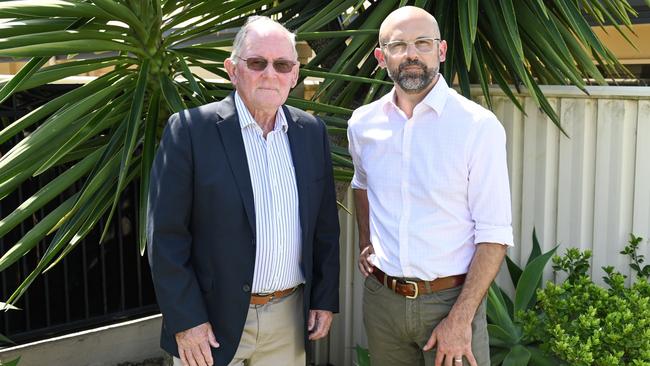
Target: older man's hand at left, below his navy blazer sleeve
(194,345)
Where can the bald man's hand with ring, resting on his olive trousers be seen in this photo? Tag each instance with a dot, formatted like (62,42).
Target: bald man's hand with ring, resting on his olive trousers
(453,340)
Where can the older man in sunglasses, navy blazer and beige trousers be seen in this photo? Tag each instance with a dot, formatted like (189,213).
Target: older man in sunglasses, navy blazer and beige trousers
(242,227)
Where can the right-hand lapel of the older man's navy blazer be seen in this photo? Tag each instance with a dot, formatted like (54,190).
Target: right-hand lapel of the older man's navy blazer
(296,134)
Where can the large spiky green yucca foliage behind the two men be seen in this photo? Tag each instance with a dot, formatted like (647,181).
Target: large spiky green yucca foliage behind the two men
(105,133)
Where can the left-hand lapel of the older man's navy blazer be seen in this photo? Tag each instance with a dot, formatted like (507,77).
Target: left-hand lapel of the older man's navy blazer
(231,138)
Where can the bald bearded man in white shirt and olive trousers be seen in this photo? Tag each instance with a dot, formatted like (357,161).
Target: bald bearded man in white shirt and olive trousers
(432,204)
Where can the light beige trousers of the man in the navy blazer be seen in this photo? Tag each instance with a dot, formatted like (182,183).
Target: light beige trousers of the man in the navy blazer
(273,334)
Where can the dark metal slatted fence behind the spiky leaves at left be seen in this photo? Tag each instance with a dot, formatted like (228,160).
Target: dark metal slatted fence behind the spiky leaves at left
(95,284)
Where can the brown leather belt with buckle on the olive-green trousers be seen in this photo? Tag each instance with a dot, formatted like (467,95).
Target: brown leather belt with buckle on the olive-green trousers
(411,289)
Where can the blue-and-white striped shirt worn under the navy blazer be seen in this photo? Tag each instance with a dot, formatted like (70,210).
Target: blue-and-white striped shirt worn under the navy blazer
(277,220)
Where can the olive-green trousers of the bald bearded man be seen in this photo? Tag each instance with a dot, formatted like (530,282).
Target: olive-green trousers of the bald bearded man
(398,327)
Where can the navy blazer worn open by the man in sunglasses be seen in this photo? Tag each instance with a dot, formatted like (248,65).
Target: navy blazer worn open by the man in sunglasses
(201,222)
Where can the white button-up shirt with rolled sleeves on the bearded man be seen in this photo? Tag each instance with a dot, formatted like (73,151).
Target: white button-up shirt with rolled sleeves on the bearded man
(437,183)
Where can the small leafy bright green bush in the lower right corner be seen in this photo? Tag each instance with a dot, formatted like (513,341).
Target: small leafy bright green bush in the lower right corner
(582,323)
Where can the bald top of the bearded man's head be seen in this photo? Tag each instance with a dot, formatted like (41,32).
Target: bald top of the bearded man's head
(407,18)
